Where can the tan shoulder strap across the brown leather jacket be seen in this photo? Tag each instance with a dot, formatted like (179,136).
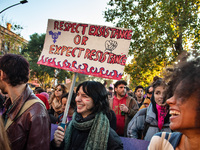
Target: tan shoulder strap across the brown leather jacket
(27,105)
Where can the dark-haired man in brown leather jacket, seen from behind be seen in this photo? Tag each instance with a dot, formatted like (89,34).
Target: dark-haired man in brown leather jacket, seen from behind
(31,129)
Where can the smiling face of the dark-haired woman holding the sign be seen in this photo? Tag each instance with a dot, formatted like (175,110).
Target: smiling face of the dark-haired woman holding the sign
(84,103)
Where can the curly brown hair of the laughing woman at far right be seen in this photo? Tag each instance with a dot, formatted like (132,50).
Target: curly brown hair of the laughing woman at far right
(187,74)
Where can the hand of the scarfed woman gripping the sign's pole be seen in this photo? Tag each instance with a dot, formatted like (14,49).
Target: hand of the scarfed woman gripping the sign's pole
(59,136)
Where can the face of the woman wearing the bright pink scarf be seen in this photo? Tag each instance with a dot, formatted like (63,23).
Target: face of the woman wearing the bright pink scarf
(158,95)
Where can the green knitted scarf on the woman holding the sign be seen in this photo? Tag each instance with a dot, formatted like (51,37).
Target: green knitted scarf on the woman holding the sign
(99,132)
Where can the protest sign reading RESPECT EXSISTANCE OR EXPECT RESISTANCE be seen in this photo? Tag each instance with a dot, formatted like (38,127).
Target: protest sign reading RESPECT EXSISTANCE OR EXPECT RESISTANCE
(89,49)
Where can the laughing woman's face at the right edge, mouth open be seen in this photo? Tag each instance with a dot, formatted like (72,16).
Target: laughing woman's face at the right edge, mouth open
(183,113)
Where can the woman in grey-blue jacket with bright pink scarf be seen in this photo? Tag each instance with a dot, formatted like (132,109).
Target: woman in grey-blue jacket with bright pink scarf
(152,119)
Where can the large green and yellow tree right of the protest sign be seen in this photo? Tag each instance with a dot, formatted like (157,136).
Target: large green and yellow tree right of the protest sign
(162,31)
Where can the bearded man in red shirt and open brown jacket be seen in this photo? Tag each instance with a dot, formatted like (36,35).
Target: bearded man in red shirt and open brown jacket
(124,106)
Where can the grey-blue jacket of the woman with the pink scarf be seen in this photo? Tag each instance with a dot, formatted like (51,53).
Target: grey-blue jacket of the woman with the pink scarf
(146,120)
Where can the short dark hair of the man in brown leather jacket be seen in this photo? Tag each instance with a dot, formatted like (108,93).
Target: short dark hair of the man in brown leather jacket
(16,68)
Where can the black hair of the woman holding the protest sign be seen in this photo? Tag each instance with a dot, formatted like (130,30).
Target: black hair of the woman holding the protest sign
(98,93)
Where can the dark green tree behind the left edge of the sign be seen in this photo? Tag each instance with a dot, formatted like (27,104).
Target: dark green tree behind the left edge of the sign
(45,74)
